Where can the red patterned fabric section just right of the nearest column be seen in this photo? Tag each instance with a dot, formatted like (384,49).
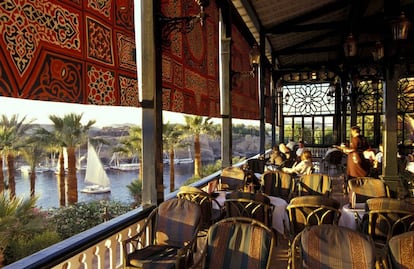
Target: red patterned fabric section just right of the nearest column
(190,63)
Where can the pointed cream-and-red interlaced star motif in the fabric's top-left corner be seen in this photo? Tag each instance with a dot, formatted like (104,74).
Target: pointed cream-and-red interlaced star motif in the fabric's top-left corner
(24,27)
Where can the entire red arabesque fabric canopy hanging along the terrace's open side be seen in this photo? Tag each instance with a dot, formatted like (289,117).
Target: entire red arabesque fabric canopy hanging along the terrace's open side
(84,52)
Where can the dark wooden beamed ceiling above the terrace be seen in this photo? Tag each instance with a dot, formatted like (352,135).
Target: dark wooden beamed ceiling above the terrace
(305,35)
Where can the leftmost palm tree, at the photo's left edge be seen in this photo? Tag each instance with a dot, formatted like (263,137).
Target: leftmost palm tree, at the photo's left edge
(12,140)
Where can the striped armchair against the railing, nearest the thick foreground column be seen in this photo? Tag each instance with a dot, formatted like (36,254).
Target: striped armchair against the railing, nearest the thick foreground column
(173,228)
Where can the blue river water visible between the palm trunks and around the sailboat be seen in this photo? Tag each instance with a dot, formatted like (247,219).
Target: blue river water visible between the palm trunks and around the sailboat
(46,185)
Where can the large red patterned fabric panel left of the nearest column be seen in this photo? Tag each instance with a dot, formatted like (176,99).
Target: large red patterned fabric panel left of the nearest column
(64,50)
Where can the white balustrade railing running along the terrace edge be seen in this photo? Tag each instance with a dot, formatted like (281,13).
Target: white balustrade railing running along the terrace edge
(99,247)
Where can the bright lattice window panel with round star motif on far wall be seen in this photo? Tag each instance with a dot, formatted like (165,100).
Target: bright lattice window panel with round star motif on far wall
(309,99)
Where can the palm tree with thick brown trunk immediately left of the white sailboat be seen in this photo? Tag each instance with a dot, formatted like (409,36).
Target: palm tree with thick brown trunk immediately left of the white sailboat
(70,133)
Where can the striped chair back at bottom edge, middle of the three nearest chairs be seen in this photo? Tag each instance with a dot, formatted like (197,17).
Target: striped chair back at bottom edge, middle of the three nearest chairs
(238,242)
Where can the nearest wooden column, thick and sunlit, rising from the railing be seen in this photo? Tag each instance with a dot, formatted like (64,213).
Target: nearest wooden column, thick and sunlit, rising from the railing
(148,53)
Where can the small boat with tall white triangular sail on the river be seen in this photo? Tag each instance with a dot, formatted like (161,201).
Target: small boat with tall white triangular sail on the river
(95,175)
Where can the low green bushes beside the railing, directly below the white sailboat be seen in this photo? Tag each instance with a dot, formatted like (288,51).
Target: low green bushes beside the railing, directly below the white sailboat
(82,216)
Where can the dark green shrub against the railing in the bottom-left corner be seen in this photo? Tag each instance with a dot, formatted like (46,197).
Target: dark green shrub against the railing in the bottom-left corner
(23,247)
